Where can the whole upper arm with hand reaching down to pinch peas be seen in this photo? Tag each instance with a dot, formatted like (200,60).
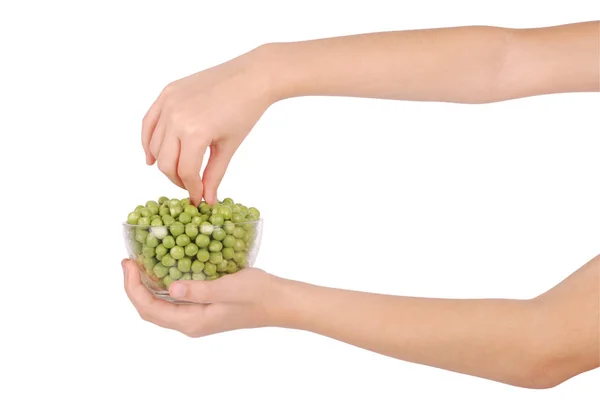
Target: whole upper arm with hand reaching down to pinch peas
(217,108)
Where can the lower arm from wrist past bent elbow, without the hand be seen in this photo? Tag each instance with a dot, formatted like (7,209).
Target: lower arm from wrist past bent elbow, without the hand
(535,343)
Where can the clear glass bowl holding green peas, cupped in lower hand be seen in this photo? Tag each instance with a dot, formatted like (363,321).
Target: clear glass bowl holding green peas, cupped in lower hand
(164,253)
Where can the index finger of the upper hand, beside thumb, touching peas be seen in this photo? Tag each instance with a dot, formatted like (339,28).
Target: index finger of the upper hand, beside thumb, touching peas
(190,163)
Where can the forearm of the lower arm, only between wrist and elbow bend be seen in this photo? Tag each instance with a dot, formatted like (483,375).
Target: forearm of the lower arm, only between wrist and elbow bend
(485,338)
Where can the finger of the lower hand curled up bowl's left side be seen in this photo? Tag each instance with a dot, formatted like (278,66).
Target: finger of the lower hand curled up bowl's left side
(149,308)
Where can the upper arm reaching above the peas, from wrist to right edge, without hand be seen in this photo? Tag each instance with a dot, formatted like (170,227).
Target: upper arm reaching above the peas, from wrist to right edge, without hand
(474,64)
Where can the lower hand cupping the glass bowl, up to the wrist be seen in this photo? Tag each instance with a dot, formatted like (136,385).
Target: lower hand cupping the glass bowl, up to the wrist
(241,300)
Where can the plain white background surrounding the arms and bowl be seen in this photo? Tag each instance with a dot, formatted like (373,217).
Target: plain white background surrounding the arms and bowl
(496,200)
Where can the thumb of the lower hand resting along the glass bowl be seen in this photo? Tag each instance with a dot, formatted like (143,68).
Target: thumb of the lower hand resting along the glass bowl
(228,288)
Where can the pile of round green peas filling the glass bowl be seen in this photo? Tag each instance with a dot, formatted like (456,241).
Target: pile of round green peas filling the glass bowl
(175,240)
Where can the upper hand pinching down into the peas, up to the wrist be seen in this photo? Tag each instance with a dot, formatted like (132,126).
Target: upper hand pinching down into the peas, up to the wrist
(215,109)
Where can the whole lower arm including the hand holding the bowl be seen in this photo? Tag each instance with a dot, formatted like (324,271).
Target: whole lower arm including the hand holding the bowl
(535,343)
